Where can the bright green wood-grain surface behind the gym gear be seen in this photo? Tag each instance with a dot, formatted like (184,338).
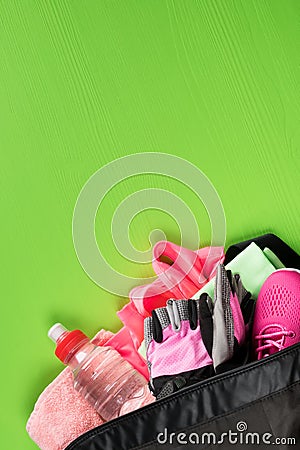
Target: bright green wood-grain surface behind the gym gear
(82,83)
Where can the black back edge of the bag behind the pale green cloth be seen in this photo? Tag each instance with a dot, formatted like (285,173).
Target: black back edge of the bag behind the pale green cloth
(286,254)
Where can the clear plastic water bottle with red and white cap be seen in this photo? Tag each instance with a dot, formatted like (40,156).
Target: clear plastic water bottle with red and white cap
(111,385)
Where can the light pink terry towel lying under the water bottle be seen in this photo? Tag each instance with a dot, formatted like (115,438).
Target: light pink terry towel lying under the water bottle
(61,414)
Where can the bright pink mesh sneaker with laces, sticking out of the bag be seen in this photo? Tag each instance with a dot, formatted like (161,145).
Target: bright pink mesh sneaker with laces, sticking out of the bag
(277,313)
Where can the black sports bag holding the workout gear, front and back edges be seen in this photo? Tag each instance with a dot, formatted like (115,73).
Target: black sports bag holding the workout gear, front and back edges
(254,406)
